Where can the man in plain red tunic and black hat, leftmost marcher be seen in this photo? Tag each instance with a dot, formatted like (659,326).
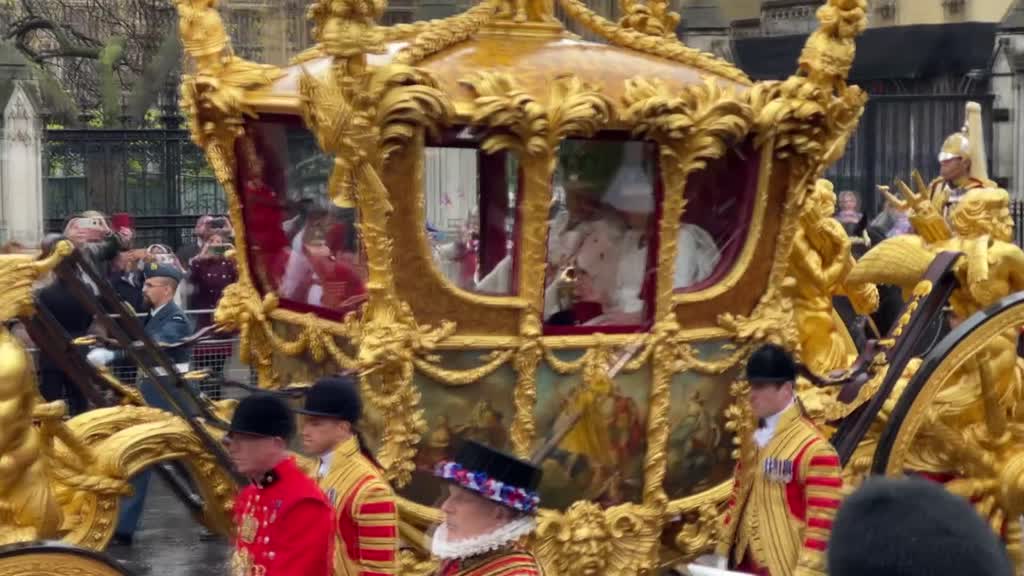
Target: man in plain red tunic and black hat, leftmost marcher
(283,519)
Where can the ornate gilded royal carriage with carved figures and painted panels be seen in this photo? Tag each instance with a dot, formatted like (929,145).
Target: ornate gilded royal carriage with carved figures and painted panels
(633,410)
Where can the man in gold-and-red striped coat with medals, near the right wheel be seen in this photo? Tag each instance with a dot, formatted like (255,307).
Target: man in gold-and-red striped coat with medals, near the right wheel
(788,488)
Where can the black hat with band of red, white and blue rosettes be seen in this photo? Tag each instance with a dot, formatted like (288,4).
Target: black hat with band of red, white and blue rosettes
(495,476)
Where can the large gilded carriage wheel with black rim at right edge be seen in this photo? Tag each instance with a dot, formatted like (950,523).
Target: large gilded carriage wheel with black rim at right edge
(987,452)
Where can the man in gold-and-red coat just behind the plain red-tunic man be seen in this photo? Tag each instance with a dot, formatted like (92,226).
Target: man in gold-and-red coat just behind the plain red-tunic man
(366,514)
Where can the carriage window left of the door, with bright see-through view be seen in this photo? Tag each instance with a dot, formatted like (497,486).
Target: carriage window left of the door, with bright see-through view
(471,214)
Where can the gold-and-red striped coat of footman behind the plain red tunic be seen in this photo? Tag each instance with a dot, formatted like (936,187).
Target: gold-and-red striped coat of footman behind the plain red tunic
(366,515)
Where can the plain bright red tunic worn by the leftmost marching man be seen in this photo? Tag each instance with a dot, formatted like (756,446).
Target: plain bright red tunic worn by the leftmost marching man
(283,526)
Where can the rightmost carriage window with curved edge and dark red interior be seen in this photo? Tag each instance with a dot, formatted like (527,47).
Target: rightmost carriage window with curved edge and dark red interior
(719,208)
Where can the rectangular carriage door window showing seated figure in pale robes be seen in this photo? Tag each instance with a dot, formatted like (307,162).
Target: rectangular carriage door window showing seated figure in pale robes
(602,233)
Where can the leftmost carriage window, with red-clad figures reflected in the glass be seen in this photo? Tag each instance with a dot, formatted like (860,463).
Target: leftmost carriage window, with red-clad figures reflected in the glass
(302,245)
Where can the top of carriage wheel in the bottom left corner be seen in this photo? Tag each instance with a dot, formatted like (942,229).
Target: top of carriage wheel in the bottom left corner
(57,559)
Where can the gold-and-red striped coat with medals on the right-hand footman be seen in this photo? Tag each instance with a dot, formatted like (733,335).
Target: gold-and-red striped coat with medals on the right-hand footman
(784,503)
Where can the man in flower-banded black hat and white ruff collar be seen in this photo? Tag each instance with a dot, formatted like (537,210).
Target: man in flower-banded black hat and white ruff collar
(489,512)
